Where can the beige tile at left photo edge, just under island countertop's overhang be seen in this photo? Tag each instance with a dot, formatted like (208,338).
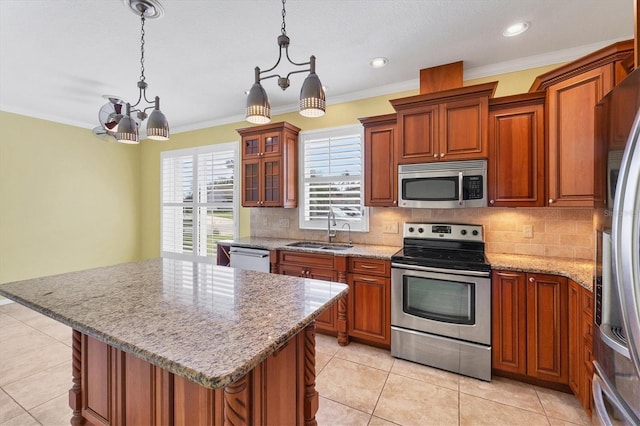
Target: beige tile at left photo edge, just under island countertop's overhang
(22,358)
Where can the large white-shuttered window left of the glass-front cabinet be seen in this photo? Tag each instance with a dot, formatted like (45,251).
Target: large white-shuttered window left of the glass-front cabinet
(199,200)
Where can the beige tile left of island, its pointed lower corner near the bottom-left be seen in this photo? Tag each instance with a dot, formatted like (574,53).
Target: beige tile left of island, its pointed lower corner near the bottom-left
(41,387)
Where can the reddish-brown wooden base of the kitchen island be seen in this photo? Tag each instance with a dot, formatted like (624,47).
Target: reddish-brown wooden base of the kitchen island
(112,387)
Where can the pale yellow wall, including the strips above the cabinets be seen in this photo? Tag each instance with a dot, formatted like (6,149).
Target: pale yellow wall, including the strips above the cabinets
(70,201)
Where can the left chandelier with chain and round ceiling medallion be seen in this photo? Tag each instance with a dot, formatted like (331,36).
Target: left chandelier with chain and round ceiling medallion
(157,125)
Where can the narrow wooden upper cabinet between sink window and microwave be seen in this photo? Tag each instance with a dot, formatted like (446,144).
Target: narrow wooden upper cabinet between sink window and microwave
(380,165)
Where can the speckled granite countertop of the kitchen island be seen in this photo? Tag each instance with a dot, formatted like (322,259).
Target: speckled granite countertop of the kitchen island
(207,323)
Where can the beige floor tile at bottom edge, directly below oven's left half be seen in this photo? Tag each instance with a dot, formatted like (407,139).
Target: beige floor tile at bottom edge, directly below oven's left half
(408,402)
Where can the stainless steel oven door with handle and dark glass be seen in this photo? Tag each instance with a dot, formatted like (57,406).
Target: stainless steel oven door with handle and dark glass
(442,303)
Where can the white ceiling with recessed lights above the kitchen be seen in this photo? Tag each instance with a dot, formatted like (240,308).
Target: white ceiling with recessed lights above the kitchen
(58,57)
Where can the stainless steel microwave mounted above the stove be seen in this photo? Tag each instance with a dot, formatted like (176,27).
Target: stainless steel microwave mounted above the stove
(443,185)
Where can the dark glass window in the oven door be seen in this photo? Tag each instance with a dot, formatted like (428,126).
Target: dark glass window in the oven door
(439,300)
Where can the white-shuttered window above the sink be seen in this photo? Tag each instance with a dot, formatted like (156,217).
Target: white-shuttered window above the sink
(331,164)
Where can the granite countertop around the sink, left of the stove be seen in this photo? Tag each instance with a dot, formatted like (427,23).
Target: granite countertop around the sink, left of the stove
(358,250)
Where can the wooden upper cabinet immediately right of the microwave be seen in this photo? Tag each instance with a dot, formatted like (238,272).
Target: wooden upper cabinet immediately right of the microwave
(516,151)
